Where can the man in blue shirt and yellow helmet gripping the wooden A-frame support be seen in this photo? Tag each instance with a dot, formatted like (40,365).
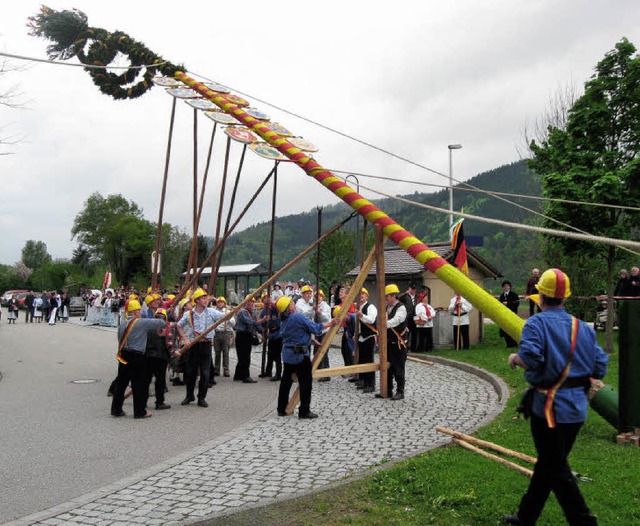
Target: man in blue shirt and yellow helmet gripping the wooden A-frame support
(296,331)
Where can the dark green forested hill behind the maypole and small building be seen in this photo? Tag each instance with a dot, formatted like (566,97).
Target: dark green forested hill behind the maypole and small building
(513,252)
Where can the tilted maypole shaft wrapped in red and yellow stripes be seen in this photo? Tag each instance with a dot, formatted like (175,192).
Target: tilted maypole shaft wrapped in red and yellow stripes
(510,322)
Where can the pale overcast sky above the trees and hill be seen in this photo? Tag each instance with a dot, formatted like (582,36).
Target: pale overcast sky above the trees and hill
(409,77)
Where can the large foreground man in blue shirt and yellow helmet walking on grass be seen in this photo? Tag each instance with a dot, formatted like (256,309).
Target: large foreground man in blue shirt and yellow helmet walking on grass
(559,354)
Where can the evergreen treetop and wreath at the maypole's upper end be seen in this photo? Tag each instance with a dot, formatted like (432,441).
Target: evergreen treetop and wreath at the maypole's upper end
(72,35)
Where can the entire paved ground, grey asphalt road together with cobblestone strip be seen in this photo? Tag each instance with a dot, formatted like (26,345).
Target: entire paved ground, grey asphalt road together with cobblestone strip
(236,454)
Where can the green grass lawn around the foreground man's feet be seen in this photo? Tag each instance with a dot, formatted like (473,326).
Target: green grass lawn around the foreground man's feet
(454,487)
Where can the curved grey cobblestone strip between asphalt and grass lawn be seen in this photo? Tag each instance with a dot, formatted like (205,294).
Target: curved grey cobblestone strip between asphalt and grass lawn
(275,457)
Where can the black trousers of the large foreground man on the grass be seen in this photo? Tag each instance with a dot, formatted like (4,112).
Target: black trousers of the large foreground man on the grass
(552,473)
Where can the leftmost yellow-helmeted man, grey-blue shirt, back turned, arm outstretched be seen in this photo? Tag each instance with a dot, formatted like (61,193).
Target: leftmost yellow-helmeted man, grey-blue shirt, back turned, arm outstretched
(132,366)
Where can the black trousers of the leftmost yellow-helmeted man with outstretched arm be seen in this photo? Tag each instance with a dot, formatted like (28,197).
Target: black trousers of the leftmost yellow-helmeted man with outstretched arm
(136,372)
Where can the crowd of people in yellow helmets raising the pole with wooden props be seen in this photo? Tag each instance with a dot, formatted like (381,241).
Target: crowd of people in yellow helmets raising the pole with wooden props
(156,332)
